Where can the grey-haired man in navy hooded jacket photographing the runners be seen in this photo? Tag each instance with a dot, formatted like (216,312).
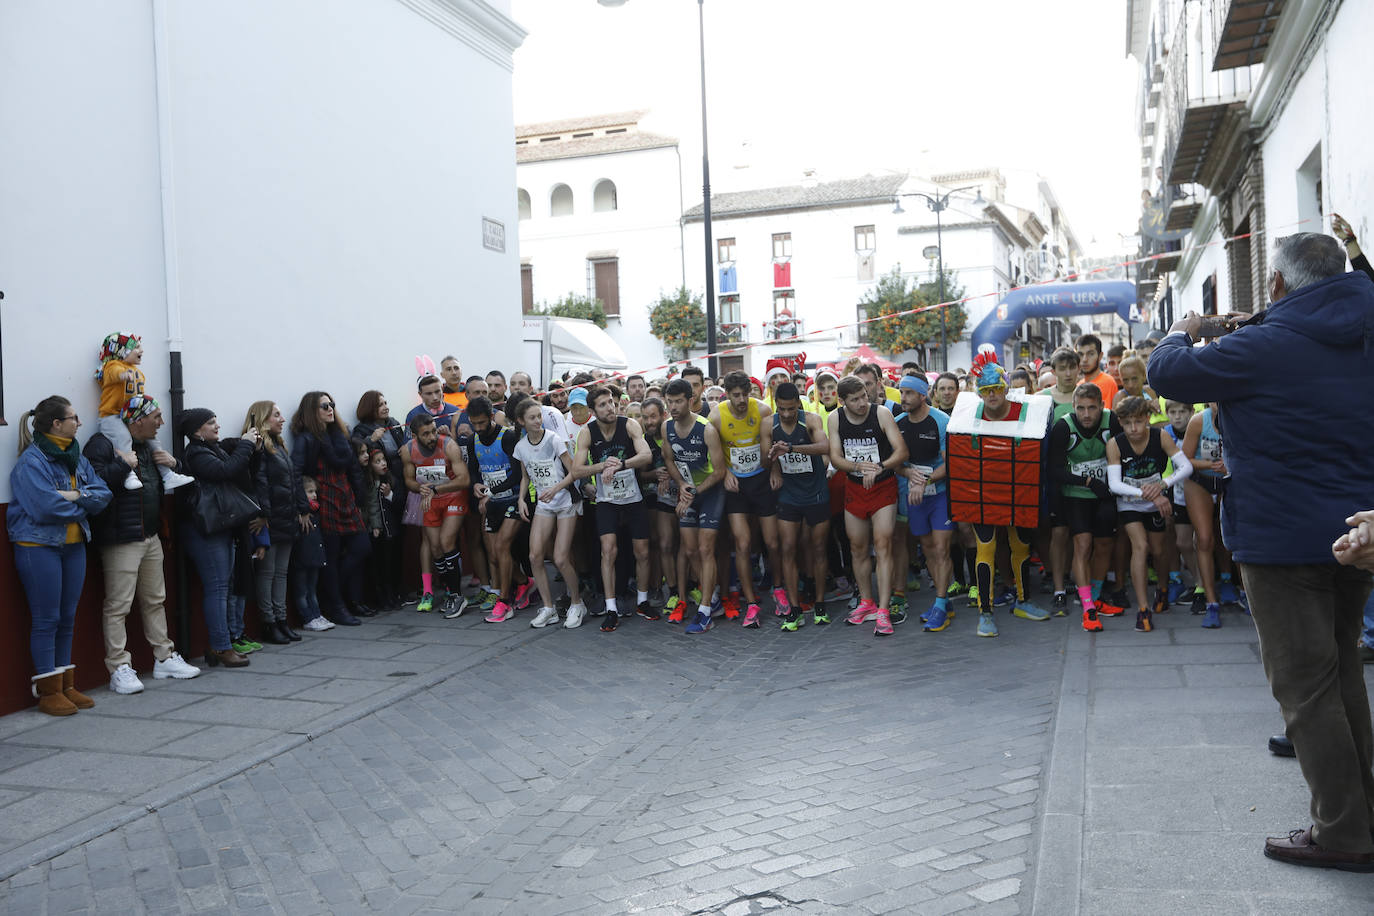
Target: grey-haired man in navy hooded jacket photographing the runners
(1299,469)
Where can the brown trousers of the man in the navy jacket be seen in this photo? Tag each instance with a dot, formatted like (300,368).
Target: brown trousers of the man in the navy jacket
(1310,620)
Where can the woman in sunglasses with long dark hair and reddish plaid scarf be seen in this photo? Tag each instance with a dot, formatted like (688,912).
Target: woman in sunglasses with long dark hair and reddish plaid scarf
(324,453)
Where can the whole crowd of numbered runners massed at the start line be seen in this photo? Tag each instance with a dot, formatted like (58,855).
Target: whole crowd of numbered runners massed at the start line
(663,502)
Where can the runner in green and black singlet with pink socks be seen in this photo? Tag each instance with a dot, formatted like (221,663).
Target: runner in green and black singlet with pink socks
(1085,509)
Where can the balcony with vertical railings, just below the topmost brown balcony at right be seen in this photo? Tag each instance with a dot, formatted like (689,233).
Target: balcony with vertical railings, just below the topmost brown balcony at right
(1206,117)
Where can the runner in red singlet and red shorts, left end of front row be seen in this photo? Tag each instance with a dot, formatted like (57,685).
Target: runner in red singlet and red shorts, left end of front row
(435,470)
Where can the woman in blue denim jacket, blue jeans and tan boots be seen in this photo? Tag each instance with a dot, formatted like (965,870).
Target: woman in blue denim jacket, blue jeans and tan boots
(53,492)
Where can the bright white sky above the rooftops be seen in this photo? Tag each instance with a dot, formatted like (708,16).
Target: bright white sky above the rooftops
(859,87)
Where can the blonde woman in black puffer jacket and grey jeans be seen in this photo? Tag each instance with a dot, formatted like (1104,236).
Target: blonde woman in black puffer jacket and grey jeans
(280,492)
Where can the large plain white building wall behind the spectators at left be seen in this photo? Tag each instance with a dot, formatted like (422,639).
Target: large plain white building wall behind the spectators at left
(329,178)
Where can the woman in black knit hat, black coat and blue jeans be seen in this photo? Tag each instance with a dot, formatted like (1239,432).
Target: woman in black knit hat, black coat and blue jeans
(214,554)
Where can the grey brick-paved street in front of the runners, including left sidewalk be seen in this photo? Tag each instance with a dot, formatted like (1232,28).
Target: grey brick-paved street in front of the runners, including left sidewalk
(565,772)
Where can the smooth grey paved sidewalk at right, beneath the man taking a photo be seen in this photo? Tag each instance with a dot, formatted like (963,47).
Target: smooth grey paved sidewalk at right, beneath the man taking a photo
(1162,785)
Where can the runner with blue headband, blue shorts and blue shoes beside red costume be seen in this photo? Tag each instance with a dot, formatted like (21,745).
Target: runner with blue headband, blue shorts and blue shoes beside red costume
(927,492)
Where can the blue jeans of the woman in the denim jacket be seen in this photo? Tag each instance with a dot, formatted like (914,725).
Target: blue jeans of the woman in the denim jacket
(53,579)
